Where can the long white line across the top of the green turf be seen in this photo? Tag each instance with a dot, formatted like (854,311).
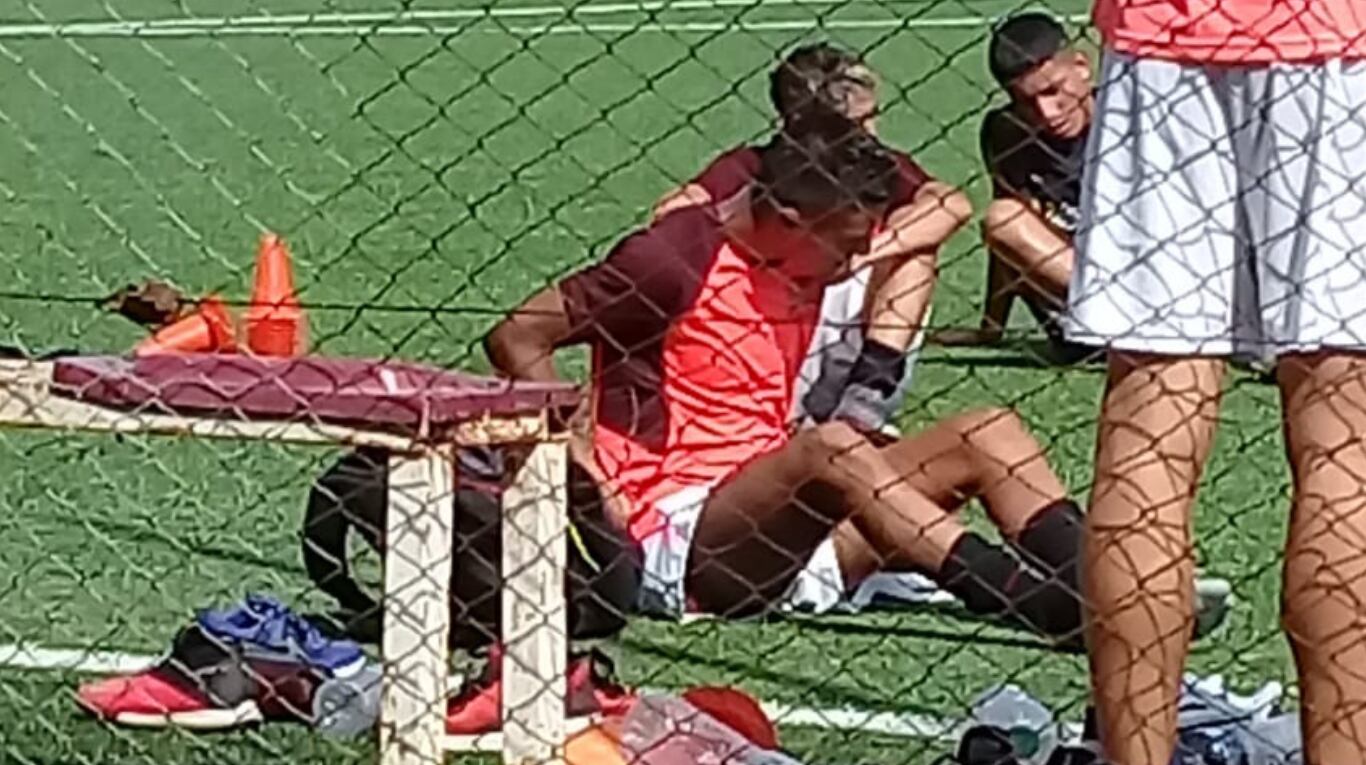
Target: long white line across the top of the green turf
(143,31)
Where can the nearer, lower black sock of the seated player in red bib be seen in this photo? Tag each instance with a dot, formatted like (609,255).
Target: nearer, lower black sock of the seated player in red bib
(992,583)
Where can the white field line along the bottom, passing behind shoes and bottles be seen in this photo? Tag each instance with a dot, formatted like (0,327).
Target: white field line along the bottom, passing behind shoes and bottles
(846,719)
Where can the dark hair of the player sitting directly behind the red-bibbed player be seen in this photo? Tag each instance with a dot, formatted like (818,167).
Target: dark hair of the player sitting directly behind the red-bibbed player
(818,79)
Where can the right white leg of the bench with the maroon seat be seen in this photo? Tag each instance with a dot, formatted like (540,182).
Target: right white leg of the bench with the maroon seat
(535,637)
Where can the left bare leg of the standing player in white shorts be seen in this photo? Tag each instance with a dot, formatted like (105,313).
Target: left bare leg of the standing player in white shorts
(1156,428)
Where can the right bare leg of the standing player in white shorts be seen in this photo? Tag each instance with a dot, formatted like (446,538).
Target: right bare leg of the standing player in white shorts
(1324,398)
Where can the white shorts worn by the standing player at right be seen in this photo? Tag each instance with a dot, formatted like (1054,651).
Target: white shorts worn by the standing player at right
(1223,210)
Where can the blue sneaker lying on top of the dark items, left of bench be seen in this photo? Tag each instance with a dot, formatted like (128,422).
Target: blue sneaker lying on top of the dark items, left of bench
(266,629)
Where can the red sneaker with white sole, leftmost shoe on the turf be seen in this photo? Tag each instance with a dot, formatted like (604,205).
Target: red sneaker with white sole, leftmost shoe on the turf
(156,700)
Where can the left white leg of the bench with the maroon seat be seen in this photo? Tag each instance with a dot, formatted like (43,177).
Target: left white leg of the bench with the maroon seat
(417,583)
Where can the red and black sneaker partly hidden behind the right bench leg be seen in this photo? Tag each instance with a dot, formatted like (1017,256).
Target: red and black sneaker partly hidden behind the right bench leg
(479,707)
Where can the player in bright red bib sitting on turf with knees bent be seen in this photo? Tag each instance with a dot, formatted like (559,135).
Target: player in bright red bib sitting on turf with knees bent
(697,334)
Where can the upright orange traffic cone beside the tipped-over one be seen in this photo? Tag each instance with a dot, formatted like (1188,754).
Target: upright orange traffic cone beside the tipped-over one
(277,326)
